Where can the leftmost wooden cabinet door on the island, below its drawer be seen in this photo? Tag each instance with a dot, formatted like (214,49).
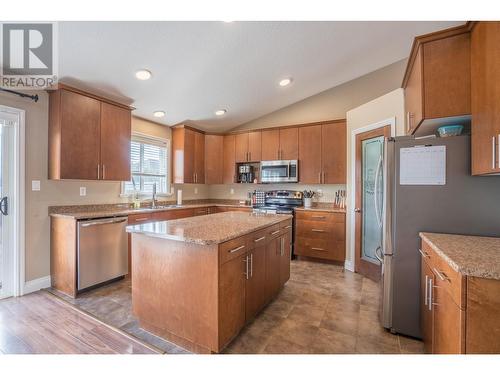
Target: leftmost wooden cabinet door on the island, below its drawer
(231,298)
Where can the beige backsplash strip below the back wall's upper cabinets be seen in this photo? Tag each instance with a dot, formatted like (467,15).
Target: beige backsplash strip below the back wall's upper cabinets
(324,193)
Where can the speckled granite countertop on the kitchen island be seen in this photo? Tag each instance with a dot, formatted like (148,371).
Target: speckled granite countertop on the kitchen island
(209,229)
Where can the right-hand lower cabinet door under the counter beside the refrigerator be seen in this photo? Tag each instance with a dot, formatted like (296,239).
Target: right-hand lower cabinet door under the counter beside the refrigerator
(449,322)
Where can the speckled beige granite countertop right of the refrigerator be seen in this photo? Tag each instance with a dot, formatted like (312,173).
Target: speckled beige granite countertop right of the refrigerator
(469,255)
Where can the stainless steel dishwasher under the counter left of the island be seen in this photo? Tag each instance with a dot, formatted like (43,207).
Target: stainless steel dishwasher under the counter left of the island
(102,250)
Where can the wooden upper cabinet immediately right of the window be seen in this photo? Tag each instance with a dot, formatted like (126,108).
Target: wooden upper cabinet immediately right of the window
(188,155)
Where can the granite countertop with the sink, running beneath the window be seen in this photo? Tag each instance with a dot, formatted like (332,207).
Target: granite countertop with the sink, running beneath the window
(109,210)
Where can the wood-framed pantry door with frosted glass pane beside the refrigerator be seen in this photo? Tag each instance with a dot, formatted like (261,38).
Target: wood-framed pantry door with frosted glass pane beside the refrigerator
(369,201)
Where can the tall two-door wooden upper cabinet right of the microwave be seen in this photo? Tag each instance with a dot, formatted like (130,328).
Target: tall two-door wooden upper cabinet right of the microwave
(322,153)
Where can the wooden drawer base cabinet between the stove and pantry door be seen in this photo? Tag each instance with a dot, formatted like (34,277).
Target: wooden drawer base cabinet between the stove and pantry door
(320,234)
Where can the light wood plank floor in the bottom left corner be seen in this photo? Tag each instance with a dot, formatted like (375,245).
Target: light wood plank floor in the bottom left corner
(40,323)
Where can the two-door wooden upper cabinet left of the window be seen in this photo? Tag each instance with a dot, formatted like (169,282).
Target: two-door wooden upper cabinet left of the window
(89,137)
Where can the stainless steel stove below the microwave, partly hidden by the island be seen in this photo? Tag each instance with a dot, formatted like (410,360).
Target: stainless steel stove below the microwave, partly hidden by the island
(279,202)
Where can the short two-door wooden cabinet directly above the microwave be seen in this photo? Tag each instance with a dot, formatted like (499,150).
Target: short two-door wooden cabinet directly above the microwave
(280,144)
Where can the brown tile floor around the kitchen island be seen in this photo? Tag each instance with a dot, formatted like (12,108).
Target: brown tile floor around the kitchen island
(321,309)
